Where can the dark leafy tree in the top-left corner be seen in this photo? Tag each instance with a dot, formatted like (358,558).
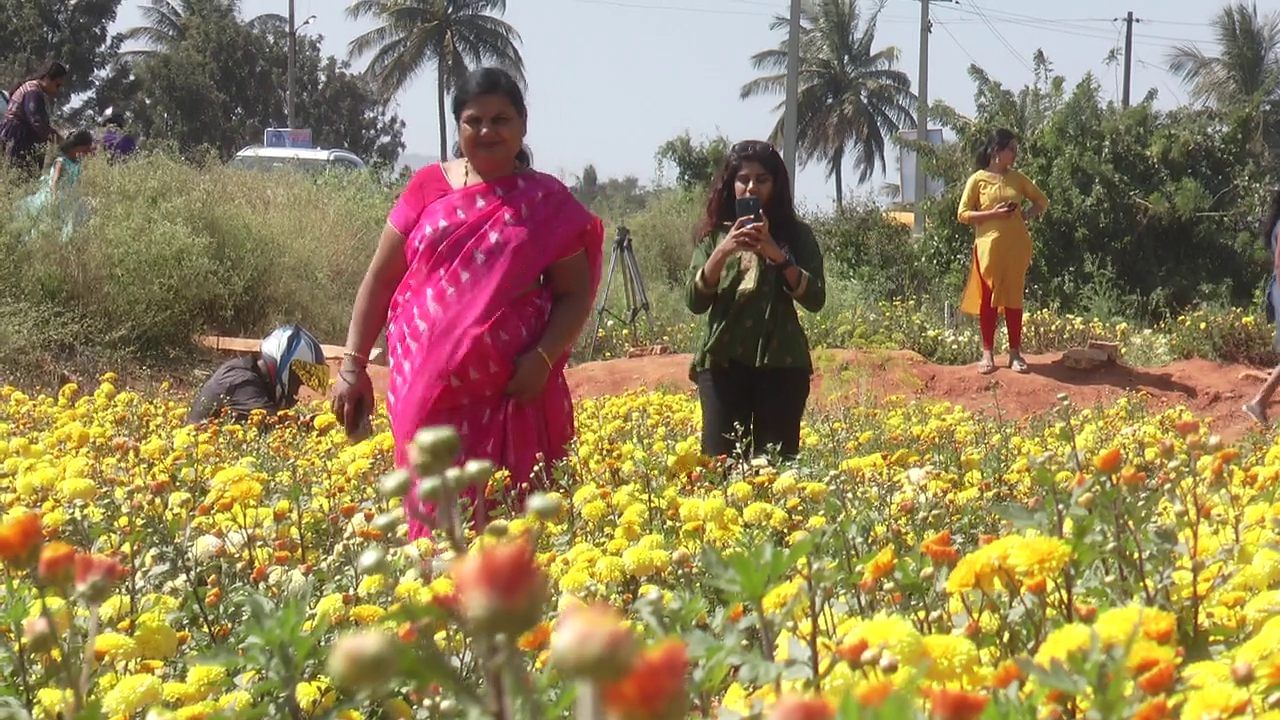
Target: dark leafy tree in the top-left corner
(72,31)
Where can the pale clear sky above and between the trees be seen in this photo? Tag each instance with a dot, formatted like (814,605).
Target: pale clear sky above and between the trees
(611,80)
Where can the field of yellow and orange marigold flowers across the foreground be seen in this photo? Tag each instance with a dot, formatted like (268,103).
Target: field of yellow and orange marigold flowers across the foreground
(917,562)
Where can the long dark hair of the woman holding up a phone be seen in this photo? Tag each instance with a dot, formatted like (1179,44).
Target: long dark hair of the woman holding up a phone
(721,207)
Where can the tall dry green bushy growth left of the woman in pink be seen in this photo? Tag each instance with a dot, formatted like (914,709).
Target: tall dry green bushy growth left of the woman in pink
(171,250)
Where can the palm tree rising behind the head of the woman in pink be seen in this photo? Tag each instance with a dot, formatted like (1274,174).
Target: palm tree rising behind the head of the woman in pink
(451,34)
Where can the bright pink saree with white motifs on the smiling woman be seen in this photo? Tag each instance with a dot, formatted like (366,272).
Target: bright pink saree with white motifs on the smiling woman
(469,306)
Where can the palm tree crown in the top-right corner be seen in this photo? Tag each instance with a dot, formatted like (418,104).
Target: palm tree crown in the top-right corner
(1249,69)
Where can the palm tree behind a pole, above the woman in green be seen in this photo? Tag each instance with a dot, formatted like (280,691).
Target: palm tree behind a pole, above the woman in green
(852,95)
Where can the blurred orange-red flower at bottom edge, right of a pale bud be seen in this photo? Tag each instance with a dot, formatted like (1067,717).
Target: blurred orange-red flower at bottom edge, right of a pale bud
(655,689)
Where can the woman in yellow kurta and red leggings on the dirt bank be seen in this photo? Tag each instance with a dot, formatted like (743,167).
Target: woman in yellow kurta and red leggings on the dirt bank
(994,203)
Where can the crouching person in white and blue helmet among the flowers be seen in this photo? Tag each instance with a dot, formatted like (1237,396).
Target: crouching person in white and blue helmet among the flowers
(271,380)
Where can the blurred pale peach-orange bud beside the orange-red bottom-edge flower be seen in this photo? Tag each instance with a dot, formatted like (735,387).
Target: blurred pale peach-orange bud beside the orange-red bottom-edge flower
(592,641)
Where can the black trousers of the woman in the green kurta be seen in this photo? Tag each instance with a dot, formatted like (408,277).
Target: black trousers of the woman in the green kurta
(752,409)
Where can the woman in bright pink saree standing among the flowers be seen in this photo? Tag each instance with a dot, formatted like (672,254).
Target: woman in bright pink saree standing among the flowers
(484,276)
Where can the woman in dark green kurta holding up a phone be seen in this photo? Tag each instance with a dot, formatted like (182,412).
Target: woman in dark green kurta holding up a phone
(748,275)
